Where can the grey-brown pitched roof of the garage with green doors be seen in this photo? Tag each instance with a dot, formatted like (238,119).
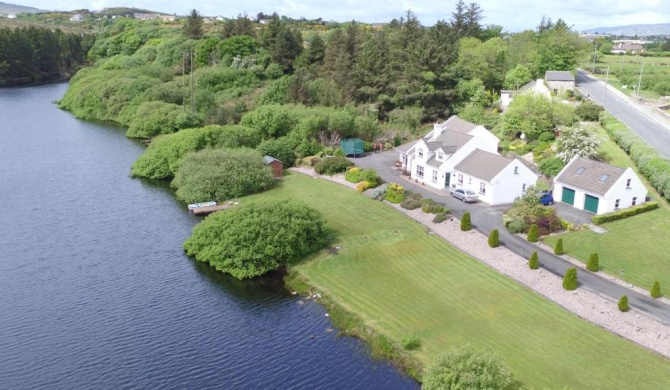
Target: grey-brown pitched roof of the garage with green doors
(589,175)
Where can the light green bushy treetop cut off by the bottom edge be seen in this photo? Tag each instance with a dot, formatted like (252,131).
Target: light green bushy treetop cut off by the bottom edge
(467,368)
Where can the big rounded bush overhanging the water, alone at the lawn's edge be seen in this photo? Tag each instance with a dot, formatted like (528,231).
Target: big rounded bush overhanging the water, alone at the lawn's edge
(256,238)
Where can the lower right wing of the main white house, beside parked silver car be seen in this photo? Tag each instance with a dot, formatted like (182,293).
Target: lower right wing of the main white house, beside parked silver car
(496,179)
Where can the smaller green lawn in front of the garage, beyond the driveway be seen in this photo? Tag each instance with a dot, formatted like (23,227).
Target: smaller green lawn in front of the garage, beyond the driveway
(636,245)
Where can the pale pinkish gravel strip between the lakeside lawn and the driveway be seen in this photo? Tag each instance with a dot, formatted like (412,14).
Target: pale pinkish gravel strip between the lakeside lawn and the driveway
(632,325)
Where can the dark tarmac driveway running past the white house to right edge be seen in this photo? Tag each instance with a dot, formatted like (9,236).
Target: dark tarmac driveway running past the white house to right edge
(486,218)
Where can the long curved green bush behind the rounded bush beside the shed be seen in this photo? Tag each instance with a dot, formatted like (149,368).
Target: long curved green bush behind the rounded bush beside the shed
(162,158)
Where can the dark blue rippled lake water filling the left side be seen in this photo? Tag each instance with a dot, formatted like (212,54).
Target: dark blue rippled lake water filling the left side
(96,293)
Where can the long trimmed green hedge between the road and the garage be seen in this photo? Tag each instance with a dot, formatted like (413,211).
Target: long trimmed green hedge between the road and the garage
(648,160)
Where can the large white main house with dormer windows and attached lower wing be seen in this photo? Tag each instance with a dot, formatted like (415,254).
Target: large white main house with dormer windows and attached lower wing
(460,153)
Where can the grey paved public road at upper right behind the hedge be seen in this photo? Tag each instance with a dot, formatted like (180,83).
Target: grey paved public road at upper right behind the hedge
(637,116)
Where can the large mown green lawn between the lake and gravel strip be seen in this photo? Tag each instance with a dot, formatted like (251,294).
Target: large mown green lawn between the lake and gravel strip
(401,280)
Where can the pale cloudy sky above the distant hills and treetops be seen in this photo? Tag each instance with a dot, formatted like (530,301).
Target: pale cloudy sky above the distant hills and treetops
(513,15)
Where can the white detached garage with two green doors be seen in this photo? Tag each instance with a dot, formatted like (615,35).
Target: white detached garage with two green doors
(598,187)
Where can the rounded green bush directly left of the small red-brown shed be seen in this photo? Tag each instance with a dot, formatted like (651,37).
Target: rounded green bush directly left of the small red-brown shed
(221,174)
